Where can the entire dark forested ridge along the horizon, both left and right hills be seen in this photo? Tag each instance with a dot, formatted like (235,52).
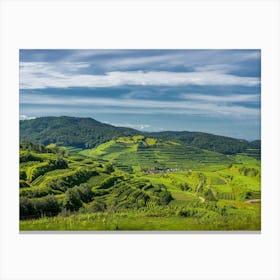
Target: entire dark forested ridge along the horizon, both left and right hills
(88,133)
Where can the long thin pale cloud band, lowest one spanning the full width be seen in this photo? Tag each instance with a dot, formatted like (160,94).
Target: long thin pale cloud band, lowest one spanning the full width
(141,105)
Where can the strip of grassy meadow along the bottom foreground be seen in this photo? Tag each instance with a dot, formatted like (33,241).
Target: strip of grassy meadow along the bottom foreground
(170,218)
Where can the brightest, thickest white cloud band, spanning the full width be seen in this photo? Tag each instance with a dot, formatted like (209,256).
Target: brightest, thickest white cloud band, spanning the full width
(44,75)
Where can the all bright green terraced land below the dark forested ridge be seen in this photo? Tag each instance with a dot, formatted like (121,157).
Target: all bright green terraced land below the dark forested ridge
(138,183)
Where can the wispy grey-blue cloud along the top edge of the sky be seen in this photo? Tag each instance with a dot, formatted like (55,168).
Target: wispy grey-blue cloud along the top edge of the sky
(127,59)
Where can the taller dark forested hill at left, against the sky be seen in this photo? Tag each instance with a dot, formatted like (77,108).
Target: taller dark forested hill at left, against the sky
(70,131)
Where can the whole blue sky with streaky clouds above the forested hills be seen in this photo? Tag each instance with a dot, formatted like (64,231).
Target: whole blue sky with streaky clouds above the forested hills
(215,91)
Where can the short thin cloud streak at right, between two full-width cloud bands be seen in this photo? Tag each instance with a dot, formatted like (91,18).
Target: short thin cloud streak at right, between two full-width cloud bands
(221,98)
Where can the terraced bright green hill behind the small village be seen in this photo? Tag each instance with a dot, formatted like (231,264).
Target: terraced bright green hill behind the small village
(141,152)
